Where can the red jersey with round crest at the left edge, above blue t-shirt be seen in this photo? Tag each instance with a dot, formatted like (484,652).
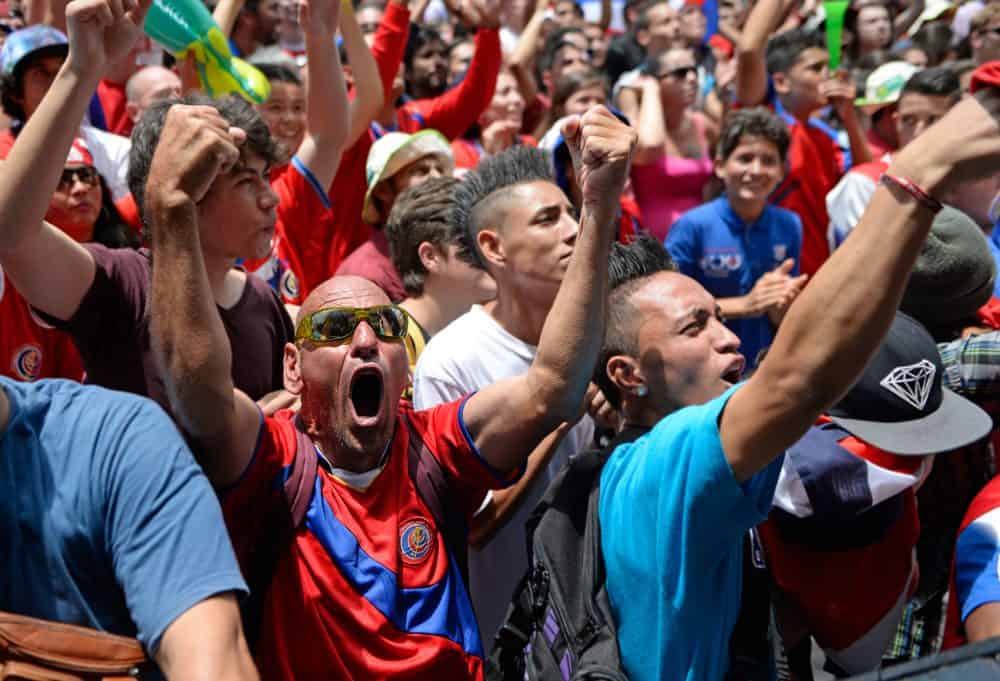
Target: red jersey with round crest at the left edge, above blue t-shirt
(30,350)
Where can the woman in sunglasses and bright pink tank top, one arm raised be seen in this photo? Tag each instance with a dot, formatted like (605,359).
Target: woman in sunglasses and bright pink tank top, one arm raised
(672,163)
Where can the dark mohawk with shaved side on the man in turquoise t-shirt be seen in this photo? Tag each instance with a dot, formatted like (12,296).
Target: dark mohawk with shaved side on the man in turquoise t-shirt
(628,267)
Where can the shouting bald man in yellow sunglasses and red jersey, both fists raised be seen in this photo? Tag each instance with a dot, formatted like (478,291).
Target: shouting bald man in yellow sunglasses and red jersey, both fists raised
(369,586)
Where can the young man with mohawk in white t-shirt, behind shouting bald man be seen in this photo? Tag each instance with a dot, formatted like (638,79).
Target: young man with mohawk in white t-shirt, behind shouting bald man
(523,231)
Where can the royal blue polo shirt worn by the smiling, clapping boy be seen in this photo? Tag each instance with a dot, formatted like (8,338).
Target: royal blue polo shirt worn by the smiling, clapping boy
(713,245)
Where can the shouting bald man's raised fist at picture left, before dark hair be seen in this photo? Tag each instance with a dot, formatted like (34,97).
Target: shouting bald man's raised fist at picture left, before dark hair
(196,146)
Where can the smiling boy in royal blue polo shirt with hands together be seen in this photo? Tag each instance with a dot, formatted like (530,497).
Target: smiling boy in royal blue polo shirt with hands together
(743,250)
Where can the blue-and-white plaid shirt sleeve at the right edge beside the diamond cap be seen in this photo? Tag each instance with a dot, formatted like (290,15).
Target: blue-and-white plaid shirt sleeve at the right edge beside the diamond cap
(972,365)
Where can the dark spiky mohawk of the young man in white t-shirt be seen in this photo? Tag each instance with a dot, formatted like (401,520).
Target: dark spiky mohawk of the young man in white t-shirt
(476,197)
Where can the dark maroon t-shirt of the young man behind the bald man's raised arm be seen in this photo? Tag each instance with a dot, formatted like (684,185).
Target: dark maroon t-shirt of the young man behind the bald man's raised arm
(111,329)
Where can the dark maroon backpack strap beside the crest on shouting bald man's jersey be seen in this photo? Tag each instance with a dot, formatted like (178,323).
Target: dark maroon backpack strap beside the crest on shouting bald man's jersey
(432,484)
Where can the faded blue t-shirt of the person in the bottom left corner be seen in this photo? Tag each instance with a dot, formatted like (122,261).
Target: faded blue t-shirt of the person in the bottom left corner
(106,520)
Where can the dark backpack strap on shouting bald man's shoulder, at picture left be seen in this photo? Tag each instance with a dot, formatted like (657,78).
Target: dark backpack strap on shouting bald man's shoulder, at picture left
(280,527)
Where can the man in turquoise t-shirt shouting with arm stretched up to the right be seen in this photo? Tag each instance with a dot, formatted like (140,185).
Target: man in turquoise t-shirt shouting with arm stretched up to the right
(675,503)
